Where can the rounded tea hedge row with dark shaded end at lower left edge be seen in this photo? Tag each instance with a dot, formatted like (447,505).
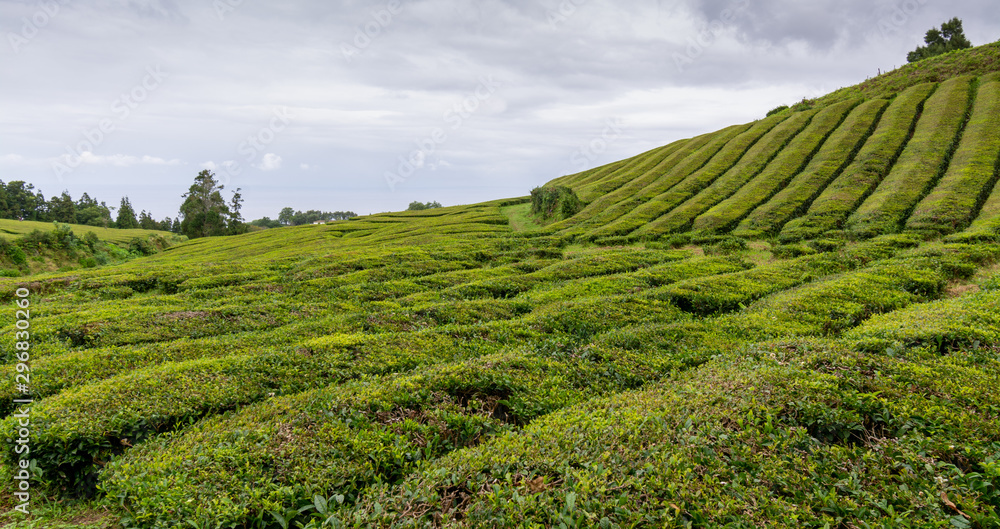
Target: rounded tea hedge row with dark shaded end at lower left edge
(87,425)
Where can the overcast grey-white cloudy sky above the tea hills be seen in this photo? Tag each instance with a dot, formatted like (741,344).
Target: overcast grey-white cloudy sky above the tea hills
(369,105)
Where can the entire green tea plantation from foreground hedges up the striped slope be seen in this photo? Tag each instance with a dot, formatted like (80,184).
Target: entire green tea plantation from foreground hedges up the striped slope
(788,323)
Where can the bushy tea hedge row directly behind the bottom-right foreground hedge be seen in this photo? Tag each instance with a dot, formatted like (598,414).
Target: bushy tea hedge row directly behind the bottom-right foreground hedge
(336,442)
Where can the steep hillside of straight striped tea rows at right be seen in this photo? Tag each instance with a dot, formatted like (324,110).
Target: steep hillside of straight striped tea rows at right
(915,150)
